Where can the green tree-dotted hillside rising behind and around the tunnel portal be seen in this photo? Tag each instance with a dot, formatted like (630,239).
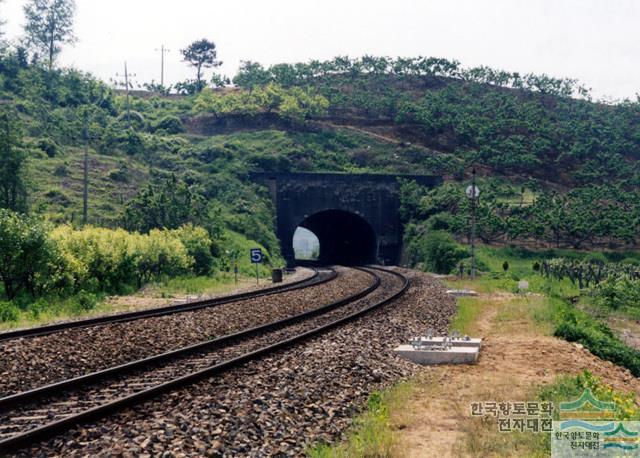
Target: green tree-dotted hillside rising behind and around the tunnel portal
(539,145)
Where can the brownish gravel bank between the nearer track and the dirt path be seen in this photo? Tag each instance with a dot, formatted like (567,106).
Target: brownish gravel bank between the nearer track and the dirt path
(278,405)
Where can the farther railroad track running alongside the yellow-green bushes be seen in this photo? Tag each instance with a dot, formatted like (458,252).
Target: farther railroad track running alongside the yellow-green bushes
(319,276)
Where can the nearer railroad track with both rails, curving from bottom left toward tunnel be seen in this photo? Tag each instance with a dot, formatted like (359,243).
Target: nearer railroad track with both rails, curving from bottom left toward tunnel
(40,413)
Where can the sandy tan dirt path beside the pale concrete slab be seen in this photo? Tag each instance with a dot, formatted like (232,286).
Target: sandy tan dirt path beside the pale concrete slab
(516,356)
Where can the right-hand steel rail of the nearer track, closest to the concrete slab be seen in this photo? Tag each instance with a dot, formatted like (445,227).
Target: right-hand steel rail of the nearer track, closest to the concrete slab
(26,438)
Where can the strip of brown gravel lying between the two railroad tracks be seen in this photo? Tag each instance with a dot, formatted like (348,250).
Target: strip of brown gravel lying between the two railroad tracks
(31,362)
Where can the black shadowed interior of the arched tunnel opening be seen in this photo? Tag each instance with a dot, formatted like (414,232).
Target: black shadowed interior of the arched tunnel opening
(344,237)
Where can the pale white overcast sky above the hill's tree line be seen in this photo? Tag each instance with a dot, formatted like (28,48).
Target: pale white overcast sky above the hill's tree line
(595,41)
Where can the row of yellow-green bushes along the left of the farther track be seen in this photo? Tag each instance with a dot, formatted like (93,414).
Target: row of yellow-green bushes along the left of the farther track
(69,266)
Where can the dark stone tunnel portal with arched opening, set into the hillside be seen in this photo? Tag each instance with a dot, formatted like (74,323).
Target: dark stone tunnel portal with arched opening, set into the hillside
(355,216)
